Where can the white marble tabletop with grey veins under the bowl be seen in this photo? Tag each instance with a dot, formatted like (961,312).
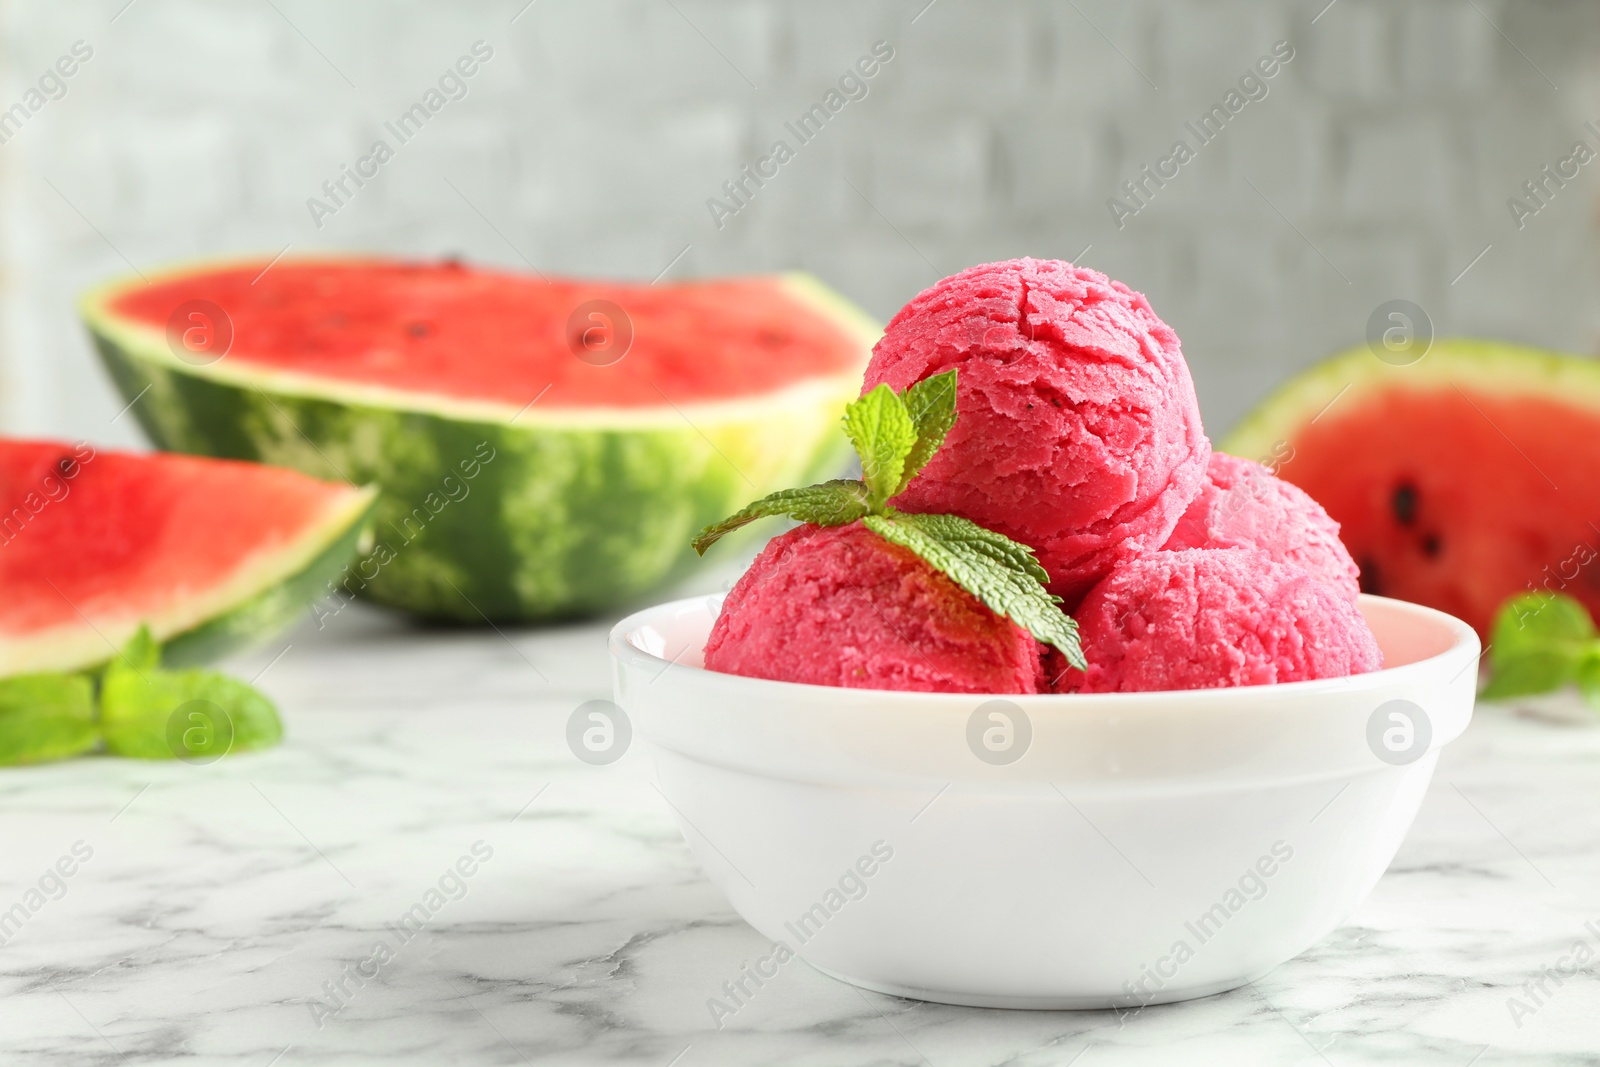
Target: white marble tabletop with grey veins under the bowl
(223,901)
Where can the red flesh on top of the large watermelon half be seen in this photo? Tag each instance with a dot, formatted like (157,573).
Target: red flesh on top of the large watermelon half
(481,335)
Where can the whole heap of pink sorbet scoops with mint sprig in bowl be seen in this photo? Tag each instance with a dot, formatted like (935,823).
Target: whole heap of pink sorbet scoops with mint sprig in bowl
(1068,423)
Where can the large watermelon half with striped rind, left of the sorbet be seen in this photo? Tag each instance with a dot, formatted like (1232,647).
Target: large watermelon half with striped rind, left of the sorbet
(540,452)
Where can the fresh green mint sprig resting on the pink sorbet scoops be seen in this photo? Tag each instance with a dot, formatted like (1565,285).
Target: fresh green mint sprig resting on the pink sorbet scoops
(897,436)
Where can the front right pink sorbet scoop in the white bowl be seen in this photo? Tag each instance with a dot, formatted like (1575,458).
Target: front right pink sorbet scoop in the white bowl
(1210,618)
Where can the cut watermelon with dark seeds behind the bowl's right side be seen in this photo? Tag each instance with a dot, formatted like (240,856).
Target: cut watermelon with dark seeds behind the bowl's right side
(1460,481)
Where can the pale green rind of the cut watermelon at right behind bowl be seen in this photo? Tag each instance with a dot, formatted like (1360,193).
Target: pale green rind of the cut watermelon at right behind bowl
(1494,367)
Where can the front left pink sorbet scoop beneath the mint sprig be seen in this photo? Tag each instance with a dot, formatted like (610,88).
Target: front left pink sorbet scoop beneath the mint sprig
(839,605)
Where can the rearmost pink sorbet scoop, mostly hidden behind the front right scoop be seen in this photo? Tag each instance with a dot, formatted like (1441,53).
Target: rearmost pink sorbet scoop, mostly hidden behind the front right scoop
(1246,506)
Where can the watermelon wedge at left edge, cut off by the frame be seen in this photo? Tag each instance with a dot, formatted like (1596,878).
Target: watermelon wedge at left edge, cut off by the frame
(214,556)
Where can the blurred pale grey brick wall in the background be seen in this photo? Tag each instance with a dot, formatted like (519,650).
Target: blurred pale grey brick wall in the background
(1377,167)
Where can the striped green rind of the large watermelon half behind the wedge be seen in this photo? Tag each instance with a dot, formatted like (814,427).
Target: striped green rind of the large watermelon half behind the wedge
(566,513)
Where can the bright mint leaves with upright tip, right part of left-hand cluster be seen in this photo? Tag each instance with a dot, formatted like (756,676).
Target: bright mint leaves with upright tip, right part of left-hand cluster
(194,716)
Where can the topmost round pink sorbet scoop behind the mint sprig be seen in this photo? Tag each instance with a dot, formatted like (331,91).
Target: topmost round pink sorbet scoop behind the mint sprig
(1078,428)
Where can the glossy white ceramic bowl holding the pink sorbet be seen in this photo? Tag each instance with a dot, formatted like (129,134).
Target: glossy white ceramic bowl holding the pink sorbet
(1140,847)
